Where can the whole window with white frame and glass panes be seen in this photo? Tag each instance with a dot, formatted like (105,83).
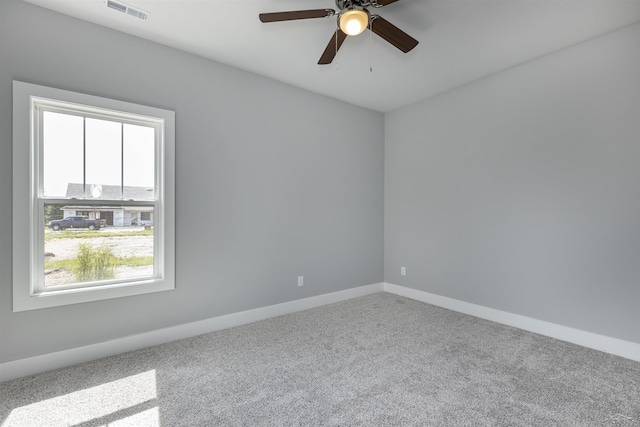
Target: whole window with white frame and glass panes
(87,171)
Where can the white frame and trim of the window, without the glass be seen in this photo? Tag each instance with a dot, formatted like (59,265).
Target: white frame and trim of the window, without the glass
(29,292)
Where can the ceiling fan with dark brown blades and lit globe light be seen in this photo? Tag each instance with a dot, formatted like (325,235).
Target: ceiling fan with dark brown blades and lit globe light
(353,19)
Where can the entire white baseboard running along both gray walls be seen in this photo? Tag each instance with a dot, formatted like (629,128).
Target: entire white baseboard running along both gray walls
(33,365)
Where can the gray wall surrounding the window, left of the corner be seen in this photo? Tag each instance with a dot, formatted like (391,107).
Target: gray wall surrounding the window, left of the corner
(272,181)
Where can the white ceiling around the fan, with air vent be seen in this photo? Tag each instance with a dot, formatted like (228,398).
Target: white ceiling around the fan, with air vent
(460,40)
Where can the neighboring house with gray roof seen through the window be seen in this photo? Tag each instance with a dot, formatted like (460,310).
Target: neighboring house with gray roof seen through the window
(114,215)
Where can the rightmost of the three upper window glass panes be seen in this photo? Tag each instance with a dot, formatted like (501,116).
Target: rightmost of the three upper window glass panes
(139,162)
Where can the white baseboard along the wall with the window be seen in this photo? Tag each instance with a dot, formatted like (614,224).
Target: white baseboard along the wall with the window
(59,359)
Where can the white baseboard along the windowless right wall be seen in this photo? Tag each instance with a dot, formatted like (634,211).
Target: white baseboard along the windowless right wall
(626,349)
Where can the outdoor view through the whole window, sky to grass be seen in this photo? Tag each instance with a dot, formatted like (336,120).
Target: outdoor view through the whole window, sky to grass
(95,164)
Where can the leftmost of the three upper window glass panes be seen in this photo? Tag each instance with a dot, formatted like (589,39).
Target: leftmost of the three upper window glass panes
(63,153)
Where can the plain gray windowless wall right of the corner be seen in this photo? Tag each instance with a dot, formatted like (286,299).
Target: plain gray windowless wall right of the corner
(521,191)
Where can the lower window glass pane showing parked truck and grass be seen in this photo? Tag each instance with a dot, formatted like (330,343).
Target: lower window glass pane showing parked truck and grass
(120,246)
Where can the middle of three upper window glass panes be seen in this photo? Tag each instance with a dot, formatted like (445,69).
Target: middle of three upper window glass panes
(103,158)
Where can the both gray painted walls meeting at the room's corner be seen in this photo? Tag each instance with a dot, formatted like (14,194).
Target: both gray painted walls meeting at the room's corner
(518,192)
